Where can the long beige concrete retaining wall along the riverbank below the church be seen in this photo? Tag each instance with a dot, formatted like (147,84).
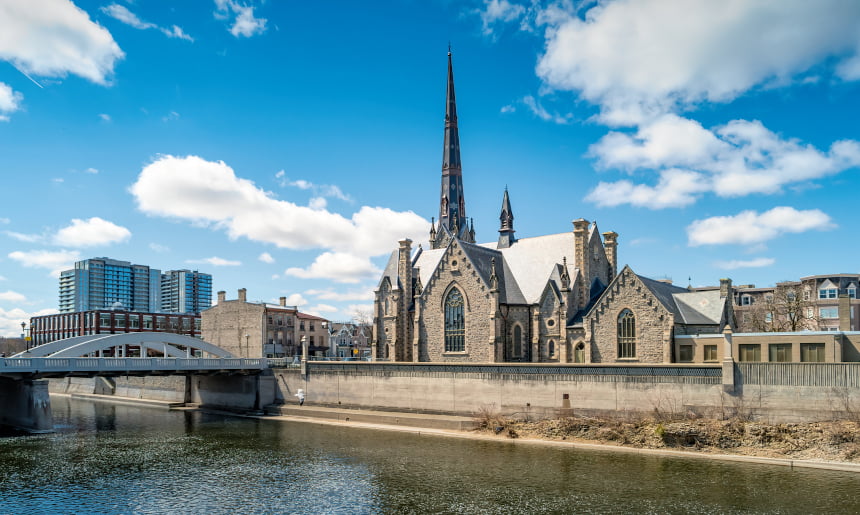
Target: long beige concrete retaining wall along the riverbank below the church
(776,392)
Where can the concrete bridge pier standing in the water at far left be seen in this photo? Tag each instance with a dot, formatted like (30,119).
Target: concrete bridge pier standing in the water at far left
(26,404)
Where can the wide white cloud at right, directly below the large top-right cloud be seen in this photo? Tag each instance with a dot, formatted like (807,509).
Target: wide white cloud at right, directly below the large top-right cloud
(736,159)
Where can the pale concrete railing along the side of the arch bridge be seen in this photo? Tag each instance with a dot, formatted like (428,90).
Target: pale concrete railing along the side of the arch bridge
(34,365)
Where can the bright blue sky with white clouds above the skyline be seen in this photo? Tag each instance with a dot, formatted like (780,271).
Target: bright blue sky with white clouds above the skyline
(285,147)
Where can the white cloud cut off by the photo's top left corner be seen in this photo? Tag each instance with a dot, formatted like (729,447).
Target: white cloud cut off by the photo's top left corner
(53,38)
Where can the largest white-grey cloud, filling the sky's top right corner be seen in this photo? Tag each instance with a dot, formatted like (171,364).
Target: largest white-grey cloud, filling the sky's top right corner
(636,58)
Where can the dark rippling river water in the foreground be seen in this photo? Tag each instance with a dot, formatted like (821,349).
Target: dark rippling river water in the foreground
(107,458)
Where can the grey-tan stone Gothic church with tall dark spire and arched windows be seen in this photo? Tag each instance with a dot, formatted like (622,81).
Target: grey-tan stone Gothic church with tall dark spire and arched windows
(553,298)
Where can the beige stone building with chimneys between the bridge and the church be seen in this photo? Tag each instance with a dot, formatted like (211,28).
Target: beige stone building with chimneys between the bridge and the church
(257,329)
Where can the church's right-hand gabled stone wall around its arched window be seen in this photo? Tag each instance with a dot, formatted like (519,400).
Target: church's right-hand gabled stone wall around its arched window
(653,323)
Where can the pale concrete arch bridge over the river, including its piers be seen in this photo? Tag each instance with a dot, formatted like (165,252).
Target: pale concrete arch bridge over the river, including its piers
(213,376)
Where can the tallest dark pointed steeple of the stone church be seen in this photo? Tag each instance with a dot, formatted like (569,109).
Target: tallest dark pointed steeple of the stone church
(453,222)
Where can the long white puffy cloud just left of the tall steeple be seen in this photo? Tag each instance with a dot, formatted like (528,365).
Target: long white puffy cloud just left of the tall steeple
(209,193)
